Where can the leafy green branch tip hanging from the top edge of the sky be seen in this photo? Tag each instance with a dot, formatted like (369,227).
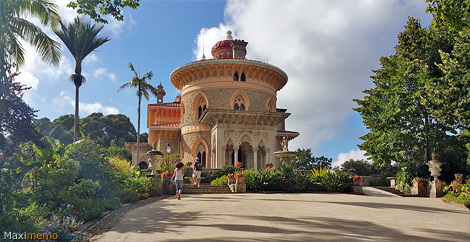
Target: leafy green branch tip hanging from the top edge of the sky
(94,8)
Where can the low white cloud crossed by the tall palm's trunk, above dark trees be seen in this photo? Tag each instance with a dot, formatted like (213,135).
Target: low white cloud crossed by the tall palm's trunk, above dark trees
(65,103)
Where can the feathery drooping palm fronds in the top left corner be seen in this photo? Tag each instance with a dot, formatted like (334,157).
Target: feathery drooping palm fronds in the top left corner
(14,27)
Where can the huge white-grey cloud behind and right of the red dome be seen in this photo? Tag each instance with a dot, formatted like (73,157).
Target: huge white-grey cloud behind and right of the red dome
(327,48)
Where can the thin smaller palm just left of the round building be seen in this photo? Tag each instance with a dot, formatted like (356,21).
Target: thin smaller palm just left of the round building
(143,88)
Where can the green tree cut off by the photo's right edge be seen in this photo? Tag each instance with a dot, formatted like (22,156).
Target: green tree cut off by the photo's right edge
(449,95)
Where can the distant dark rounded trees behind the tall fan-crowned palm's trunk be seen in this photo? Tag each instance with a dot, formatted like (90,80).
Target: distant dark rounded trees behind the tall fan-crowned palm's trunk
(101,129)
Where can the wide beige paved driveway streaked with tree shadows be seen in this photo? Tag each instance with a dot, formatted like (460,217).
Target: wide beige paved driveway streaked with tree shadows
(294,217)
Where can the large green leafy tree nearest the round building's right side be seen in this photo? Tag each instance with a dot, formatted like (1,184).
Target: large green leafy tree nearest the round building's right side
(401,127)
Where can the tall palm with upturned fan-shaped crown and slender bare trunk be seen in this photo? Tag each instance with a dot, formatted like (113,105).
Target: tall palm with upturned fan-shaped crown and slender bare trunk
(81,39)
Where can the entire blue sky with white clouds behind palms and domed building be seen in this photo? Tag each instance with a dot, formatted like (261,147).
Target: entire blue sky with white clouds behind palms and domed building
(327,48)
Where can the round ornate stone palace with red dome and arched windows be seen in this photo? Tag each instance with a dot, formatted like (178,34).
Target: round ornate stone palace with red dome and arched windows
(226,112)
